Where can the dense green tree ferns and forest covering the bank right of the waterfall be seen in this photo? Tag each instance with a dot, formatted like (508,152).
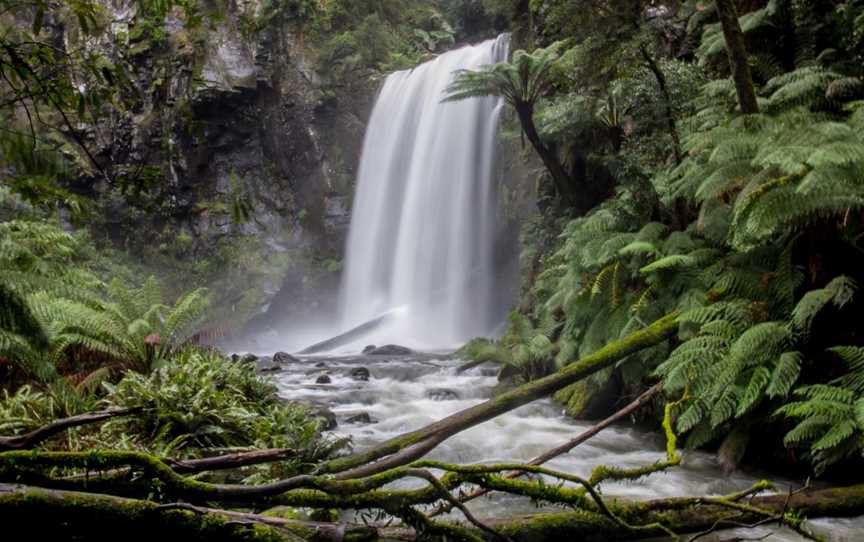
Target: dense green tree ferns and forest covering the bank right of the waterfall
(751,232)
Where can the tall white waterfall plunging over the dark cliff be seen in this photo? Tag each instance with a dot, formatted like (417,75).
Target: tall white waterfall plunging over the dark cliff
(424,217)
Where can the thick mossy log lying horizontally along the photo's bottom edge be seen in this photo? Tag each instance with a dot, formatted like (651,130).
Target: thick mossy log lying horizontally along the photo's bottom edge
(101,517)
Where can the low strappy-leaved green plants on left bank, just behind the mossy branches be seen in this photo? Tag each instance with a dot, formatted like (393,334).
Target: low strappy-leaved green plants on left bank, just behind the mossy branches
(203,402)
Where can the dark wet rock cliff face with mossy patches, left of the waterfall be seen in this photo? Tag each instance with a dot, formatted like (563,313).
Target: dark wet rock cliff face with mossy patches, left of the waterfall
(236,157)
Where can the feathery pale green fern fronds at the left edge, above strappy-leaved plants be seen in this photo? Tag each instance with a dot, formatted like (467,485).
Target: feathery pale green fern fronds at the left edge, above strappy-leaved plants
(57,312)
